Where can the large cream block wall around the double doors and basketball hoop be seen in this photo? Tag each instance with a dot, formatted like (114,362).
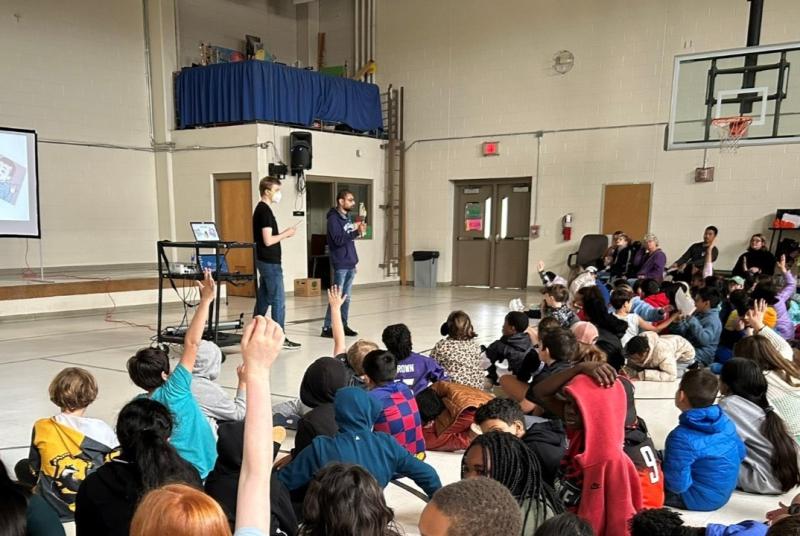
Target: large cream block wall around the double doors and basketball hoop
(466,73)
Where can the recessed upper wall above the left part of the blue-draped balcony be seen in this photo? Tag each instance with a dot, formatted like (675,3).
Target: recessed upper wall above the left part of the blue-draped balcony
(225,23)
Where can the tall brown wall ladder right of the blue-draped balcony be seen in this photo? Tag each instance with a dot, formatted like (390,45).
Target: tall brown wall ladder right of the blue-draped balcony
(394,251)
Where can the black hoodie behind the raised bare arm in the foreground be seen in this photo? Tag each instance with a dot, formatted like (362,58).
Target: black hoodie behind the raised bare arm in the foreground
(223,482)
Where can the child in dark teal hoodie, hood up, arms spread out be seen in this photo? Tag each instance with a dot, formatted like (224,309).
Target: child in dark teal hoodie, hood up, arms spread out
(355,442)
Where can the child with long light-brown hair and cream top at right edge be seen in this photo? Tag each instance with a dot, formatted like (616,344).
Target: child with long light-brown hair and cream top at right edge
(783,379)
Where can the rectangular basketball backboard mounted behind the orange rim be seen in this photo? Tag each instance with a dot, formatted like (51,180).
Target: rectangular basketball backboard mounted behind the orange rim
(756,81)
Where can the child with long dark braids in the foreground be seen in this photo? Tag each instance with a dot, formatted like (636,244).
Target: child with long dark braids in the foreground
(505,458)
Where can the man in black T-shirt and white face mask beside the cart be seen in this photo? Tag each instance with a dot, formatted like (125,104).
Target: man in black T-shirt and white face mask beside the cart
(270,291)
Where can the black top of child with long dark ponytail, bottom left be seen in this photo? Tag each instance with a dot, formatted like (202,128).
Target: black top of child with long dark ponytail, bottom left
(107,499)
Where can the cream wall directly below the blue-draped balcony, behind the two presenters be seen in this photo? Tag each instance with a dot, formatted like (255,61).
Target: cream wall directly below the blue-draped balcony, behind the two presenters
(334,156)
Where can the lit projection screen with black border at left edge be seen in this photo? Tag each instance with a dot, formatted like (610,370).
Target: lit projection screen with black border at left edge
(19,203)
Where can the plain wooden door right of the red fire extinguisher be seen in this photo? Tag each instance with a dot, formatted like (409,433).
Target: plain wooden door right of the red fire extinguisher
(626,208)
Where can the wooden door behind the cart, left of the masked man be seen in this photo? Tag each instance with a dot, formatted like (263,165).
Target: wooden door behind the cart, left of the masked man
(235,221)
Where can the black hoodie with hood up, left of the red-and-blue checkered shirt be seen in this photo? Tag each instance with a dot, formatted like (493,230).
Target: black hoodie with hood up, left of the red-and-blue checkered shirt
(320,382)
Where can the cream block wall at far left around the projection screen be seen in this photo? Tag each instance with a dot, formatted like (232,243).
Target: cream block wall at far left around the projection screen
(76,72)
